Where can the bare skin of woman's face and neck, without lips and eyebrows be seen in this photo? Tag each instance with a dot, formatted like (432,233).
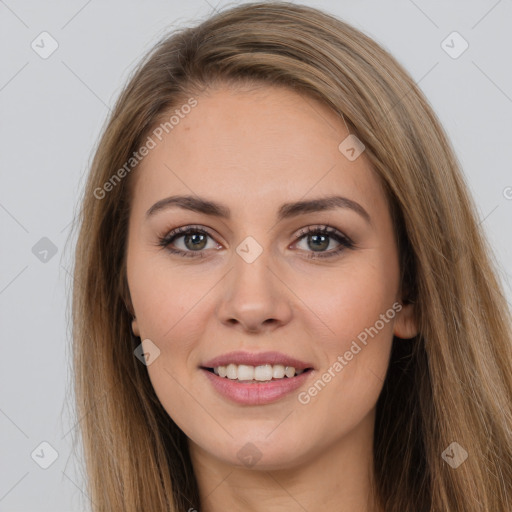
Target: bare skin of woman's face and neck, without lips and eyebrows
(252,151)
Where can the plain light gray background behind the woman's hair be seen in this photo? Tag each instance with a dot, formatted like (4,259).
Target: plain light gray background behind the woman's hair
(52,111)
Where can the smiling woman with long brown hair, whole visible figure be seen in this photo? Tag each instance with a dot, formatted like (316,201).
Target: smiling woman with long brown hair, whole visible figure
(283,298)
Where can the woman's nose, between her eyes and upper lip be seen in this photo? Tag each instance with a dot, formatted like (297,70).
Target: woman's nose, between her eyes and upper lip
(254,297)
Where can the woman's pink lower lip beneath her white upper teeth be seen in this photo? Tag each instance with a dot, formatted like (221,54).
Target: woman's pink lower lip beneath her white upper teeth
(257,393)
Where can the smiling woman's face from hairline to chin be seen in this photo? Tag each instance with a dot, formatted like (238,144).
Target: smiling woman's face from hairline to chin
(256,277)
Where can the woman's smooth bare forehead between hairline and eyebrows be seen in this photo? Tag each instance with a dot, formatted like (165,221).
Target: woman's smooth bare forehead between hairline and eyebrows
(268,143)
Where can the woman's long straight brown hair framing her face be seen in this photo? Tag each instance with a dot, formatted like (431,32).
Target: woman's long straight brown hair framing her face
(451,383)
